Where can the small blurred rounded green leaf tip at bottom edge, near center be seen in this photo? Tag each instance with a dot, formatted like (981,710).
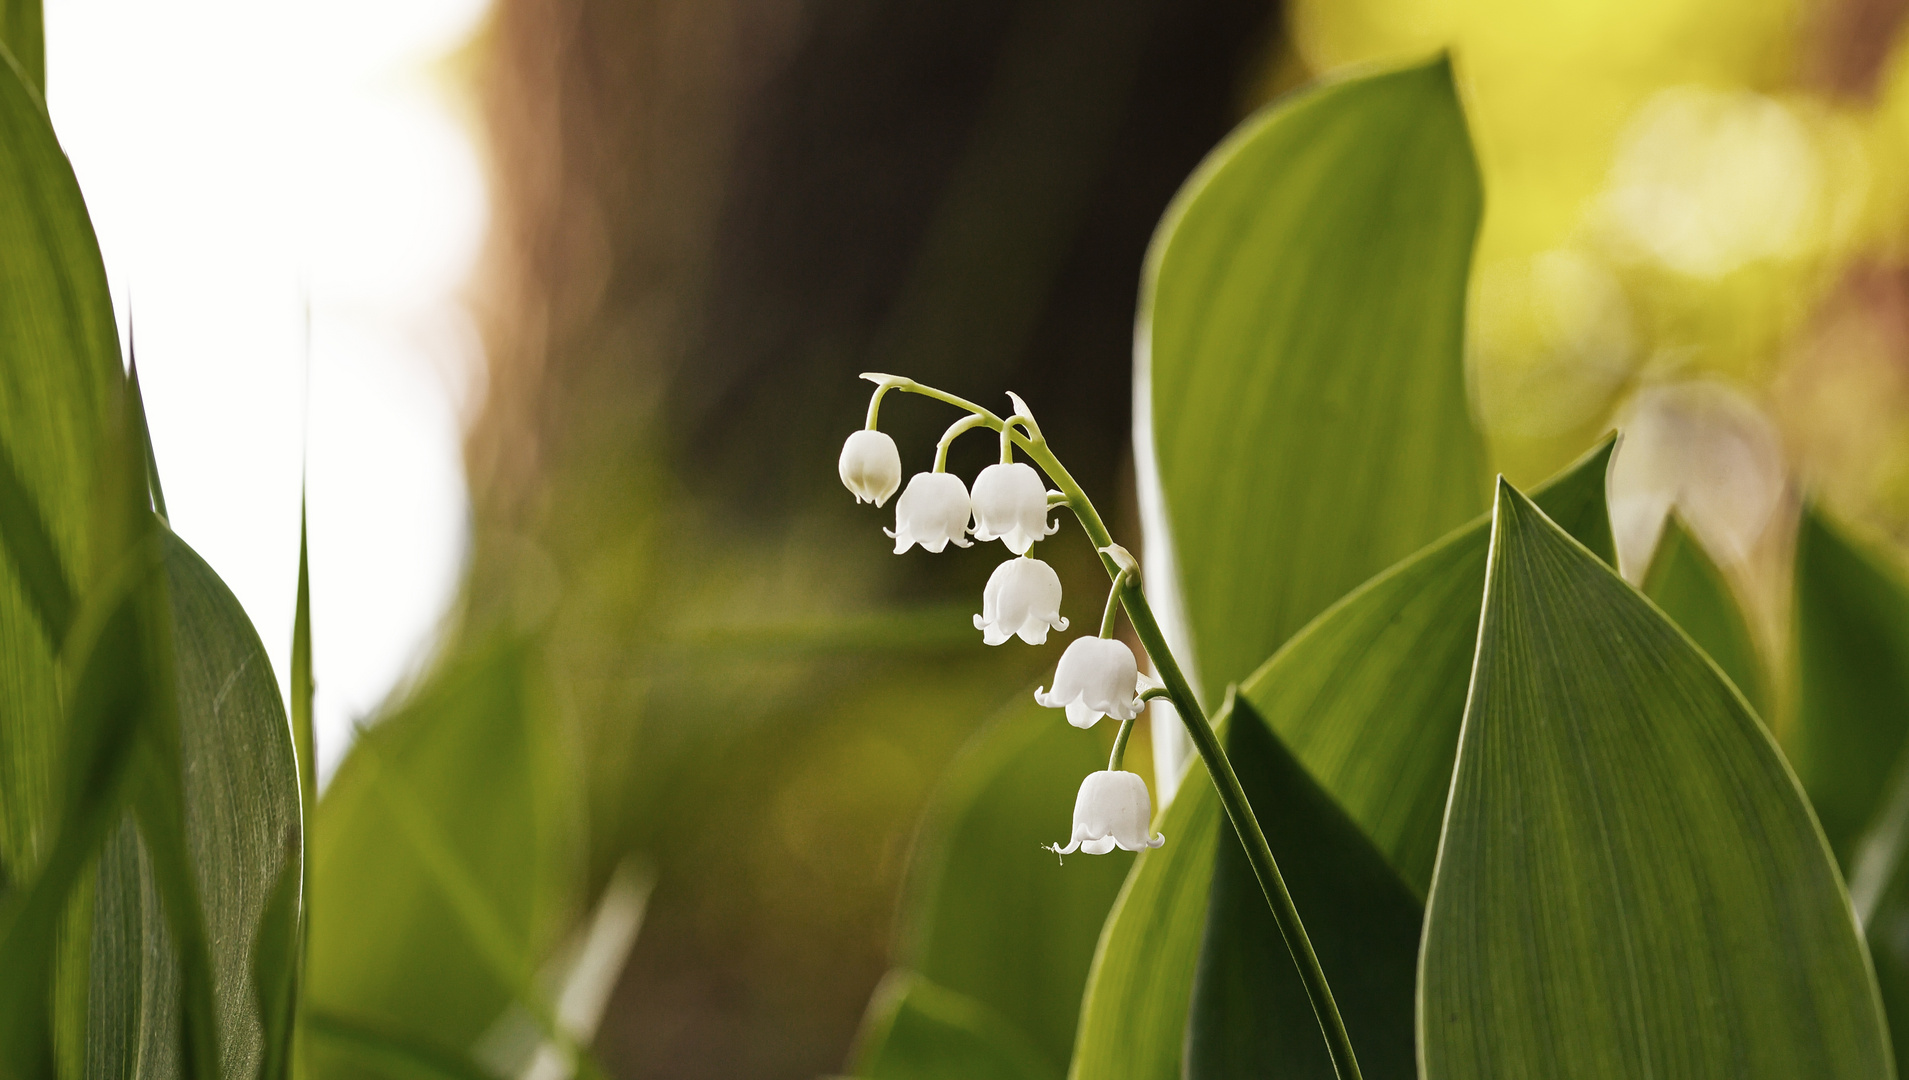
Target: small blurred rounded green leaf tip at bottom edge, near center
(921,1031)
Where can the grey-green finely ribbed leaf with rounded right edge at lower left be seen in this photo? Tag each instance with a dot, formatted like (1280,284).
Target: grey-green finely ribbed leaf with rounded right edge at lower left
(219,837)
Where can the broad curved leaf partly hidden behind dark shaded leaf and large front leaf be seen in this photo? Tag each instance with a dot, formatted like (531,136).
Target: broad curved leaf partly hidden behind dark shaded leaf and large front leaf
(1370,699)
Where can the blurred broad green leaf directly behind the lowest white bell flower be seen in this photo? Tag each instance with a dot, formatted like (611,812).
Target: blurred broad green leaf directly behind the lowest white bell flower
(994,919)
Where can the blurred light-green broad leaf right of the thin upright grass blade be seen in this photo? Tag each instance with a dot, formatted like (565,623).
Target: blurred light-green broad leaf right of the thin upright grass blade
(444,862)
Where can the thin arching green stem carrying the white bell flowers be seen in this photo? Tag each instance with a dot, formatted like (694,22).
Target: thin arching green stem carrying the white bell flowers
(1232,797)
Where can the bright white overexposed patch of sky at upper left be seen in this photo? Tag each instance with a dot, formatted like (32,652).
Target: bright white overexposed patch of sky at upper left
(240,161)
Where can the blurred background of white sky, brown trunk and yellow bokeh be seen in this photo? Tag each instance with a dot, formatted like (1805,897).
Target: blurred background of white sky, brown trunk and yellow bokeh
(558,306)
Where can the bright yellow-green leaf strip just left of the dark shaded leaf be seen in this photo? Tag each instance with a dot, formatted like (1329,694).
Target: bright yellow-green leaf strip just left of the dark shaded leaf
(1135,1014)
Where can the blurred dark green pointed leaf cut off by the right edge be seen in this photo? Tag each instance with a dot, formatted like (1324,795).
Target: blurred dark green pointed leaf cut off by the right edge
(1853,678)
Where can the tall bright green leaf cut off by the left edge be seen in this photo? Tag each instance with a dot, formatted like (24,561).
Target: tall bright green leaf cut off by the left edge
(58,375)
